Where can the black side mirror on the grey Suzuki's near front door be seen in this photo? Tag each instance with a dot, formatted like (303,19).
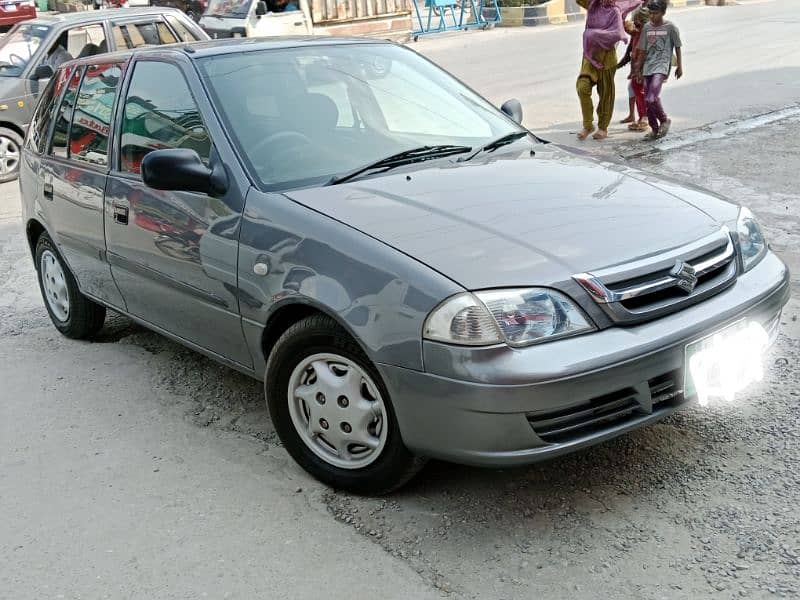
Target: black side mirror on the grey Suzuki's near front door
(181,170)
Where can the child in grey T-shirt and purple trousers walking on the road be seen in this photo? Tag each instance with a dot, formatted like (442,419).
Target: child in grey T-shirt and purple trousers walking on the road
(658,41)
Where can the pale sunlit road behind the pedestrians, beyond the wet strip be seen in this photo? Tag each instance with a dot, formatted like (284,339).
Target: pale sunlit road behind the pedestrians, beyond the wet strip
(738,61)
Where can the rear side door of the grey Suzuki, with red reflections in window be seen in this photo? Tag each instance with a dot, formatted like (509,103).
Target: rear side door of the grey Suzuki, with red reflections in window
(73,174)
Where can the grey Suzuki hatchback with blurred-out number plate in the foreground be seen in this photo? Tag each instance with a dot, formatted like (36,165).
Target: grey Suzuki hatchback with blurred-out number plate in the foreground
(410,272)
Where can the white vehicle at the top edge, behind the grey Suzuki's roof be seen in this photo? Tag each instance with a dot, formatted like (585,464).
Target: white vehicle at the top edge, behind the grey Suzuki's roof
(256,18)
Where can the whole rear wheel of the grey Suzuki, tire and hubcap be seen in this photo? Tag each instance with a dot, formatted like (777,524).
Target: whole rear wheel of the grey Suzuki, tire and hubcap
(72,313)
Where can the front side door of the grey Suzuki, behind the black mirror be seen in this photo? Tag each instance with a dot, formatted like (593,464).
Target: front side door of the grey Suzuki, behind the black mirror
(173,254)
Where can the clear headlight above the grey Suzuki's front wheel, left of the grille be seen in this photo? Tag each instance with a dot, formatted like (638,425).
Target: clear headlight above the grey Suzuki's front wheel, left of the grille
(518,317)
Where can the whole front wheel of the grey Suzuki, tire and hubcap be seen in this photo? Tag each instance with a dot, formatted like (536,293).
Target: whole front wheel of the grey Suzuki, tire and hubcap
(368,471)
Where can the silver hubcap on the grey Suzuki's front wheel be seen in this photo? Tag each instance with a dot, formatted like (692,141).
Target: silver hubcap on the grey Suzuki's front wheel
(338,411)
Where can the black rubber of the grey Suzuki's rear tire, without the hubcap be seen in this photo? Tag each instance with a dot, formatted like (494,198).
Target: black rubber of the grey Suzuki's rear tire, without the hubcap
(85,317)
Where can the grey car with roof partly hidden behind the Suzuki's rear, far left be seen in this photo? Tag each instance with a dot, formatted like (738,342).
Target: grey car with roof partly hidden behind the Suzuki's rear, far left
(32,50)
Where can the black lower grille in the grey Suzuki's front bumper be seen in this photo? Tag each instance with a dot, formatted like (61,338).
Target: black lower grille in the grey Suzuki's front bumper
(607,411)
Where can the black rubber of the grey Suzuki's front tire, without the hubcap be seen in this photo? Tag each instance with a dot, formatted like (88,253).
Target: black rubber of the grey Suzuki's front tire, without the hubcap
(320,334)
